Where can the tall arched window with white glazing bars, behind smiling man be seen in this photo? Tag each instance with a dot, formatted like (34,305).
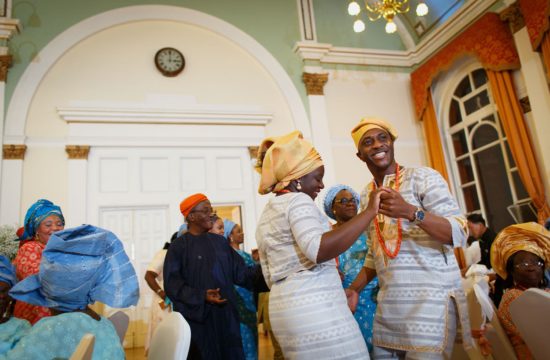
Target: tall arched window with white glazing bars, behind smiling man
(484,172)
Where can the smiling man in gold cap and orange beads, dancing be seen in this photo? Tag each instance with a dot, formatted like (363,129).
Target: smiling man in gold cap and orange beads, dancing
(411,242)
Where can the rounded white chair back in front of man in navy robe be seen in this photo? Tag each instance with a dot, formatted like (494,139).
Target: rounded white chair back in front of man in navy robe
(171,339)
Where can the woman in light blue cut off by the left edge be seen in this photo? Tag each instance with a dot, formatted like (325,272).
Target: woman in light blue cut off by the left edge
(12,329)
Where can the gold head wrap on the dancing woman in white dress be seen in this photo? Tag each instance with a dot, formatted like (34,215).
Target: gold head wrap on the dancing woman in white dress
(285,158)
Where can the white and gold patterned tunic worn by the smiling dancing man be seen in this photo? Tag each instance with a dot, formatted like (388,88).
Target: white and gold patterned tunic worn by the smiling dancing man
(417,285)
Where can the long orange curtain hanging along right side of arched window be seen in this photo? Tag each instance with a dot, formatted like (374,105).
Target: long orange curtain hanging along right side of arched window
(519,140)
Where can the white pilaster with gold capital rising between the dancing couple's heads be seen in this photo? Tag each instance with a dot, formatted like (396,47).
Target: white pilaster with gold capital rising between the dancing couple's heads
(319,121)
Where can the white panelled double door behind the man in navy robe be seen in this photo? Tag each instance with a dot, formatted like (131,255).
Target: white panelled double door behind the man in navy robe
(135,193)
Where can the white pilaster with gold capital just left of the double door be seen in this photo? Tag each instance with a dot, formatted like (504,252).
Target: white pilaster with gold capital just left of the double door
(77,184)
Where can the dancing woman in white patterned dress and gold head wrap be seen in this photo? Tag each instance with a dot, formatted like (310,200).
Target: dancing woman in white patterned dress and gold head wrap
(308,310)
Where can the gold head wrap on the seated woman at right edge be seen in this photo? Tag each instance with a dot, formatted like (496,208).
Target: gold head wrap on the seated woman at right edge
(530,237)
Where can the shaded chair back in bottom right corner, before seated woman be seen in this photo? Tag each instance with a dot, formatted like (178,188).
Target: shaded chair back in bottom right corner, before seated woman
(531,314)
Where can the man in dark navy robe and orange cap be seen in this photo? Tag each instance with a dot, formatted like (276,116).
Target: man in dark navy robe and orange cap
(199,272)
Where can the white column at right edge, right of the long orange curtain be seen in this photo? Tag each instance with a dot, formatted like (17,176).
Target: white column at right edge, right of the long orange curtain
(539,98)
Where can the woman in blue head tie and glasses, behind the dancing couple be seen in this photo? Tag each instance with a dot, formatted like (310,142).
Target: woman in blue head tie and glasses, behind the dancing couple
(341,203)
